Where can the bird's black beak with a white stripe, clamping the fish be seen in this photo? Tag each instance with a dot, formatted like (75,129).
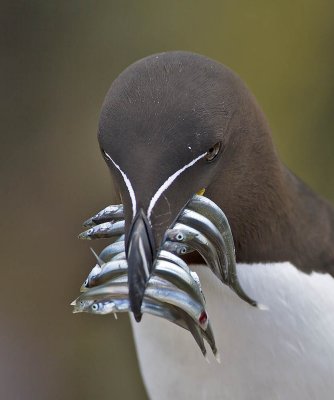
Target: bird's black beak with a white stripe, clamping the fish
(140,253)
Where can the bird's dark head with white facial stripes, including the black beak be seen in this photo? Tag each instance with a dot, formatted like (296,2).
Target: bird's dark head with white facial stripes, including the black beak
(164,125)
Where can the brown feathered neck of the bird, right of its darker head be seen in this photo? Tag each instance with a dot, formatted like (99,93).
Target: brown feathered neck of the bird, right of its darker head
(273,215)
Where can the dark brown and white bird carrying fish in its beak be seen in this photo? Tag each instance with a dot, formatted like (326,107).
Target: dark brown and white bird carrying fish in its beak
(175,123)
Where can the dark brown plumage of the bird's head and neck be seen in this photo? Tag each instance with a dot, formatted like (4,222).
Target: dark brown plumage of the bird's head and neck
(166,109)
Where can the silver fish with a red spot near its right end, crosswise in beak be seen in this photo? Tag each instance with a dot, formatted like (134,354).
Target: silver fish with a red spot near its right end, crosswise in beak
(165,293)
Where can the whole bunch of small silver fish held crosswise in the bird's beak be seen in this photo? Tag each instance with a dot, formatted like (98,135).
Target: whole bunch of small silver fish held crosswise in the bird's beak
(173,291)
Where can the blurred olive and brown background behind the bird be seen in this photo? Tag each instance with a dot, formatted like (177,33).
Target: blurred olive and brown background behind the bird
(58,59)
